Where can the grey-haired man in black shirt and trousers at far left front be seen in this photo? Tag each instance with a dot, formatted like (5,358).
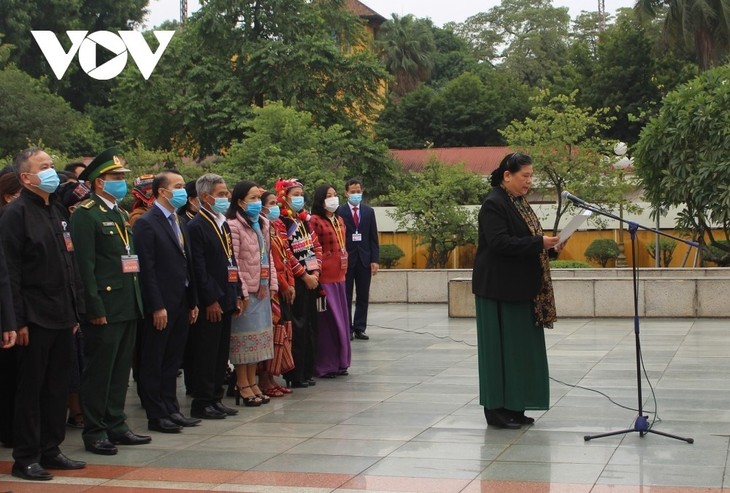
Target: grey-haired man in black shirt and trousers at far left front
(47,295)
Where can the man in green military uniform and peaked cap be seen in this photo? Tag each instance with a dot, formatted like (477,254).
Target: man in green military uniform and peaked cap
(109,268)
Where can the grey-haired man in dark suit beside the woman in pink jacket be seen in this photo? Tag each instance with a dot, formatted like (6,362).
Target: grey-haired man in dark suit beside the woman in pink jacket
(219,291)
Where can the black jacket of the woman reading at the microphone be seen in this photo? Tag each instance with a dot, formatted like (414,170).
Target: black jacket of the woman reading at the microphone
(507,262)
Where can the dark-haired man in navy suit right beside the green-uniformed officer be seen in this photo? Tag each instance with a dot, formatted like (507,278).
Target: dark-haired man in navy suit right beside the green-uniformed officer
(170,302)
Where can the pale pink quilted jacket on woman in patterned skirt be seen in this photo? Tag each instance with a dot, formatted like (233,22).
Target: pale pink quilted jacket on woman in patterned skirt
(248,256)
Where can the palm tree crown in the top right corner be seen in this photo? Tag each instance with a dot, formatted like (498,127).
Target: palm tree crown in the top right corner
(702,26)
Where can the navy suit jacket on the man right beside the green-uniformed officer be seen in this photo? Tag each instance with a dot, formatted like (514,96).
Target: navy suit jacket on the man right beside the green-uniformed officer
(165,268)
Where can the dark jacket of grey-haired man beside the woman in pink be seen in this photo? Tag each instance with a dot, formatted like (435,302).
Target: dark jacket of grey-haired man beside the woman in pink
(210,265)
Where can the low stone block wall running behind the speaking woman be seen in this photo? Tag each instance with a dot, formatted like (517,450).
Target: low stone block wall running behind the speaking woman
(701,292)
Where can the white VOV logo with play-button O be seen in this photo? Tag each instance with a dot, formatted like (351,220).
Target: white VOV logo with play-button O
(131,42)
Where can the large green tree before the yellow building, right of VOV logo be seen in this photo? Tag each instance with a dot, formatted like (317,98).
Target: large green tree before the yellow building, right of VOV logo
(302,53)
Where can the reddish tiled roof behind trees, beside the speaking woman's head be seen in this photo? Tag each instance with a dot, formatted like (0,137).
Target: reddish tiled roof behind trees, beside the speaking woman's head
(480,160)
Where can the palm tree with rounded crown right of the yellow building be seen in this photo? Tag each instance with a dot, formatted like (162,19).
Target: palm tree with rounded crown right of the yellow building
(407,46)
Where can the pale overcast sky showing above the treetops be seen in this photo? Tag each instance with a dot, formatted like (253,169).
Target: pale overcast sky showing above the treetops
(440,11)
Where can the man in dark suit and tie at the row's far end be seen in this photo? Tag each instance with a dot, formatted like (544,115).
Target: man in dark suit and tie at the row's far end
(363,250)
